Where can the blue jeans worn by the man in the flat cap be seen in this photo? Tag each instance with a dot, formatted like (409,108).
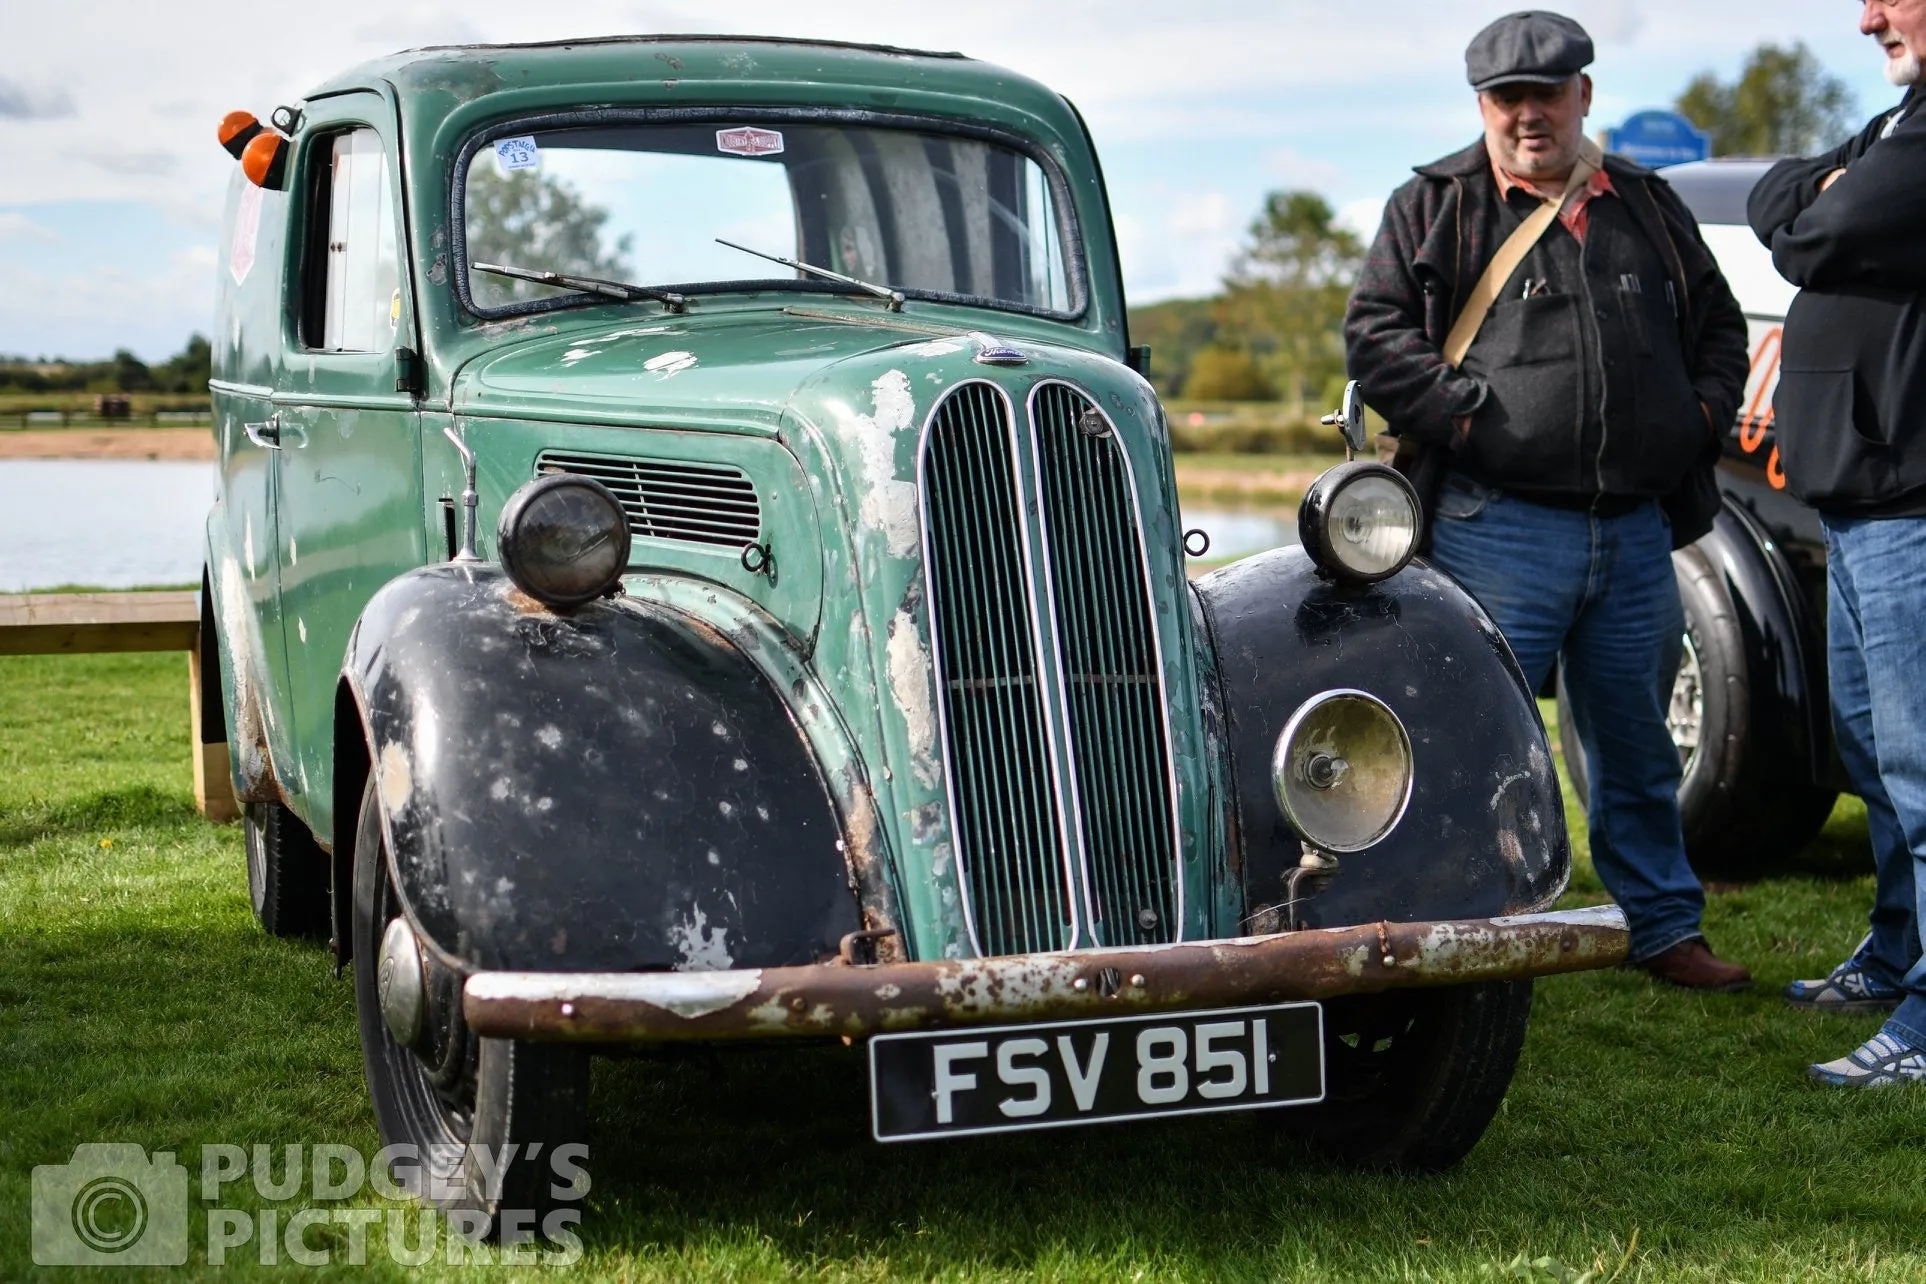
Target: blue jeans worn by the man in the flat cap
(1600,592)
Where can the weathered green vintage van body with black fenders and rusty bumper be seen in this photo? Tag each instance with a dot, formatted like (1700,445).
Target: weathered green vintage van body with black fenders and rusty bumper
(346,630)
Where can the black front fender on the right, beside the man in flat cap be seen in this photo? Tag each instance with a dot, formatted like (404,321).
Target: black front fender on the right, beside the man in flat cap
(1484,833)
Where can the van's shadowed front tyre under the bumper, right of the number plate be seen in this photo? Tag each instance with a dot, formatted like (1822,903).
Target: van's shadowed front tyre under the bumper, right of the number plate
(1415,1077)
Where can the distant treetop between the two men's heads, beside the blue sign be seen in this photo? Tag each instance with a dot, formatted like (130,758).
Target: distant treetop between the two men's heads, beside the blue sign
(1784,103)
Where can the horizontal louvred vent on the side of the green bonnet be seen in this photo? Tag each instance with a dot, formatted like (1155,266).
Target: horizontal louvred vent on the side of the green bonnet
(671,500)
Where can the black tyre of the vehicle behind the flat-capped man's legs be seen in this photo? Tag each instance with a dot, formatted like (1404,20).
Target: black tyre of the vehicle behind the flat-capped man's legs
(1740,811)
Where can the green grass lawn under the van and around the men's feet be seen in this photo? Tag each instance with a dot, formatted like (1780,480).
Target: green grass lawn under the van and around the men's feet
(1650,1133)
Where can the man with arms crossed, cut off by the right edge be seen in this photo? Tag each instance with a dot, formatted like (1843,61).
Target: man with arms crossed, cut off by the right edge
(1850,230)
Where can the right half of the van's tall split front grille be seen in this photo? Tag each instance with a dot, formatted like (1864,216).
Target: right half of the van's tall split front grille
(1112,675)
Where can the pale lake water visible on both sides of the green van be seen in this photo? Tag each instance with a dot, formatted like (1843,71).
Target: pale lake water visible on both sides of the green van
(128,525)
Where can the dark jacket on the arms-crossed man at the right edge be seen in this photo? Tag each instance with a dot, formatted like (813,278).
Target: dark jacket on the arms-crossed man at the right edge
(1852,399)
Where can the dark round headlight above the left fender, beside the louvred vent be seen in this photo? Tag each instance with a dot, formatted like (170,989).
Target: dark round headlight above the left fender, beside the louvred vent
(563,540)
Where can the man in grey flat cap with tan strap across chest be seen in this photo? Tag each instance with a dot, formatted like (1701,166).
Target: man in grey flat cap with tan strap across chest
(1557,353)
